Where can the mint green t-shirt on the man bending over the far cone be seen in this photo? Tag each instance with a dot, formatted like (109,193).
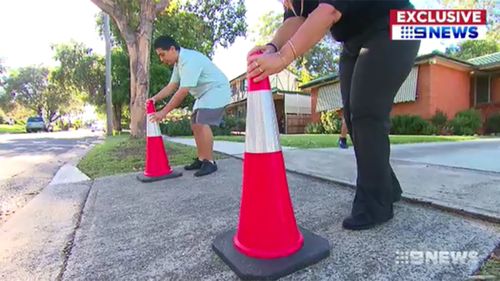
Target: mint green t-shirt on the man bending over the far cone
(204,80)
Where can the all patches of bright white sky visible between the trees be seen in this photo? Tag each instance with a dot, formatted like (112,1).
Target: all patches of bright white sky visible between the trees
(30,27)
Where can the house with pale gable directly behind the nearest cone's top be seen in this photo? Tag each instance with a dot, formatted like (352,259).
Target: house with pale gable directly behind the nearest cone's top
(293,107)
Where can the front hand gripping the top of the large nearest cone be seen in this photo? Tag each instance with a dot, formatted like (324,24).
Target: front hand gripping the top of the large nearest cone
(261,66)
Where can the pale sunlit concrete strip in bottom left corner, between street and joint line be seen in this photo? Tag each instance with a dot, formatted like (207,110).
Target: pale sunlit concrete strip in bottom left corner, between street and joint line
(35,241)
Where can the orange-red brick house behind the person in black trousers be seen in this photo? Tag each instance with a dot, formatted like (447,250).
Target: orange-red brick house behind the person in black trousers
(436,82)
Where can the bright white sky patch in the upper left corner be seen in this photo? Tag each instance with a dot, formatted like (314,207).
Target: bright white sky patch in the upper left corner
(30,27)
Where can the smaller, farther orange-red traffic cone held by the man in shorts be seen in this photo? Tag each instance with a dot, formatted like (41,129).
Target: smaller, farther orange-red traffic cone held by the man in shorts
(157,166)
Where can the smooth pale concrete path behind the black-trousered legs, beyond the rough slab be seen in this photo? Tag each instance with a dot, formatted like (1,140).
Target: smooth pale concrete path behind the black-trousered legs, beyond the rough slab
(446,175)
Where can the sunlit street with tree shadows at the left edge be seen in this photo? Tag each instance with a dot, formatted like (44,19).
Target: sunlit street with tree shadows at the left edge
(29,161)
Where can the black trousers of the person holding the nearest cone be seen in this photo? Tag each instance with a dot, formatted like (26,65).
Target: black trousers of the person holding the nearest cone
(372,69)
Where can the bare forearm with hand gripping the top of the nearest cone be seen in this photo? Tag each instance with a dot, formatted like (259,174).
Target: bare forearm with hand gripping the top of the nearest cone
(308,34)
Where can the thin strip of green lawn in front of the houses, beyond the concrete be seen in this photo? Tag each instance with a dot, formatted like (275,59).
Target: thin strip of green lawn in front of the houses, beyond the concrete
(320,141)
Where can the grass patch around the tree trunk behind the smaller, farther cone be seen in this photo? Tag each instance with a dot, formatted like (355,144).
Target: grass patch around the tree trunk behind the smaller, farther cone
(122,154)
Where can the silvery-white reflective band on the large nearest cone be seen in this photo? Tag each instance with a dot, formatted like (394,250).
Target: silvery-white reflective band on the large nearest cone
(262,133)
